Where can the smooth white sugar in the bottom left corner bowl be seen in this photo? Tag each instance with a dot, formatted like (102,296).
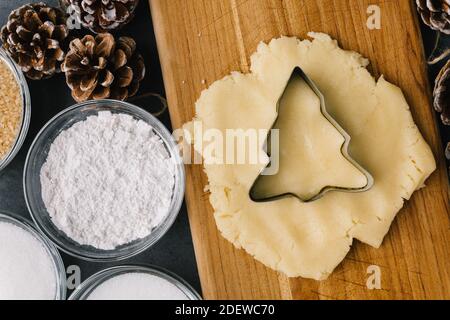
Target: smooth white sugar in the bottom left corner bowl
(27,271)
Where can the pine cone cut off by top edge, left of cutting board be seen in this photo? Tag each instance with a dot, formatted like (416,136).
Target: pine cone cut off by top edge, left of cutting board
(103,15)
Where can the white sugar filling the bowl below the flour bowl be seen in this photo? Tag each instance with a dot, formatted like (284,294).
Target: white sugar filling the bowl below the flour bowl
(137,286)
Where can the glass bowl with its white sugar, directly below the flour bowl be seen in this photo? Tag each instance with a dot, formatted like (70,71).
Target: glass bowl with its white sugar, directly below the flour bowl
(134,283)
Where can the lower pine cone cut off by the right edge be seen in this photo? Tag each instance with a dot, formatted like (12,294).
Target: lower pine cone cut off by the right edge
(442,94)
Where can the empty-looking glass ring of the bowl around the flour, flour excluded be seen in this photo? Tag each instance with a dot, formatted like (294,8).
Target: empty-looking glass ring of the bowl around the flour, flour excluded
(37,156)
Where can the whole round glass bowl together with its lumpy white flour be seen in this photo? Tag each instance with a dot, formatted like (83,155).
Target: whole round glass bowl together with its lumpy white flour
(104,180)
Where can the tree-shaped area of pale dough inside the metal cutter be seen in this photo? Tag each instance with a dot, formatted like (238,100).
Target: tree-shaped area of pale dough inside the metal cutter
(310,157)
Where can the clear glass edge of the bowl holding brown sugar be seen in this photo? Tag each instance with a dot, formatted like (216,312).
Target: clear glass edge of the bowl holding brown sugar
(26,109)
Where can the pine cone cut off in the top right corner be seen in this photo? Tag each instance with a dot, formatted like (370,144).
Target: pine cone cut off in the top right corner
(436,14)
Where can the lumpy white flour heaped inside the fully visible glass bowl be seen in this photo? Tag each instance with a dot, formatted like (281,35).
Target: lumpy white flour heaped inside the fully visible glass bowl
(108,181)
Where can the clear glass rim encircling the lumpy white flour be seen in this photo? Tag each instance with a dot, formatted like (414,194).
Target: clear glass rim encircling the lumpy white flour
(145,243)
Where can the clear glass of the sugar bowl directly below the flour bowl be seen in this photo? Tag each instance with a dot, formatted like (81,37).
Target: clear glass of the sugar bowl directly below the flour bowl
(87,287)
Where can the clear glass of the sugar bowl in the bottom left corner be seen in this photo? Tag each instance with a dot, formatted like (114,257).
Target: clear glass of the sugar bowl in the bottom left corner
(60,271)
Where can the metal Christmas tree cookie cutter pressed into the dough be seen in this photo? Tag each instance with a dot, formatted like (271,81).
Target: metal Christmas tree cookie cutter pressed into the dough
(260,197)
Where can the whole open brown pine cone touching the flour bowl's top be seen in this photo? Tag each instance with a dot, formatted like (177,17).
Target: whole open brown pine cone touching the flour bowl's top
(101,67)
